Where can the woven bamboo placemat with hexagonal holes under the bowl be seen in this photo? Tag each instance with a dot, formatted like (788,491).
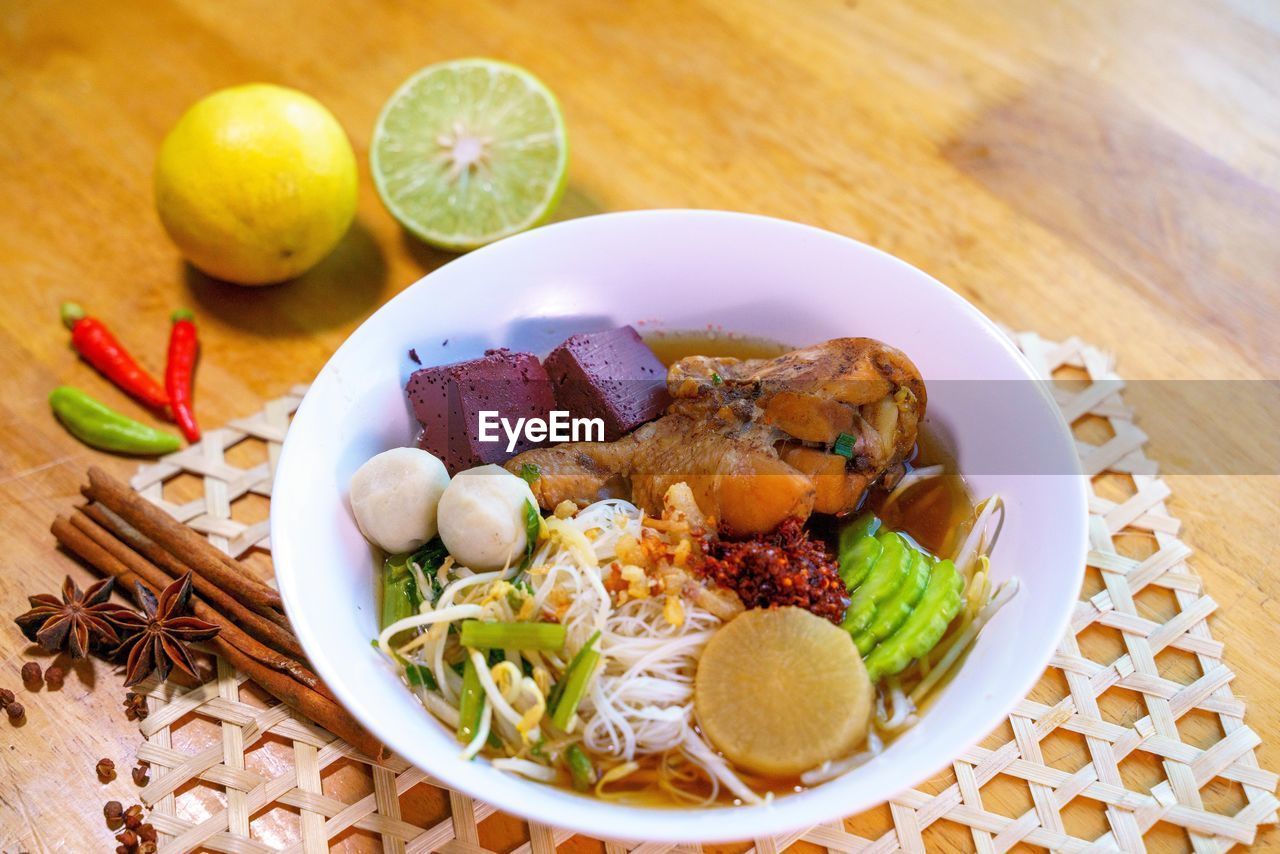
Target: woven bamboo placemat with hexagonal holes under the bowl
(1132,734)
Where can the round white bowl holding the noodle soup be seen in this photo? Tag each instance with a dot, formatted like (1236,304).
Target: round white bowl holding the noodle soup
(682,271)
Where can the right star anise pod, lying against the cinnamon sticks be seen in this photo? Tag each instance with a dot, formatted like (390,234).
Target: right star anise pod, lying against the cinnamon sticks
(157,640)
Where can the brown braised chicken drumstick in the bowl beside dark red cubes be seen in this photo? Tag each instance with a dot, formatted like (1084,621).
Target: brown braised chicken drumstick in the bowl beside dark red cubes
(756,440)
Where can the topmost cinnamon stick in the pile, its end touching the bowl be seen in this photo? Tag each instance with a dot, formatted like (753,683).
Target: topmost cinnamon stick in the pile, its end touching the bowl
(181,541)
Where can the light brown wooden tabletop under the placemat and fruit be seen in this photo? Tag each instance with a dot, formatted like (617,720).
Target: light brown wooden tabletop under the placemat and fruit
(1109,171)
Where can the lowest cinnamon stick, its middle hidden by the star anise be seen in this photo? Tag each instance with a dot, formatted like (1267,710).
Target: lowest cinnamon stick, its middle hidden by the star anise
(285,688)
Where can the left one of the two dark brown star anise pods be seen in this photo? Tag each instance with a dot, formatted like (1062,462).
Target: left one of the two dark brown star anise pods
(76,622)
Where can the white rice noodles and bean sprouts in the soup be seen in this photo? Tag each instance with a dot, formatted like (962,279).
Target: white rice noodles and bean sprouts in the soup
(639,702)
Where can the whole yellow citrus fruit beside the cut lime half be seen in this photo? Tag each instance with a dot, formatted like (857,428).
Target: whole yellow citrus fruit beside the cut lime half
(257,184)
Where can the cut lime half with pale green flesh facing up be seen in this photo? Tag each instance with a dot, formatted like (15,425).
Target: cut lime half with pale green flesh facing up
(470,152)
